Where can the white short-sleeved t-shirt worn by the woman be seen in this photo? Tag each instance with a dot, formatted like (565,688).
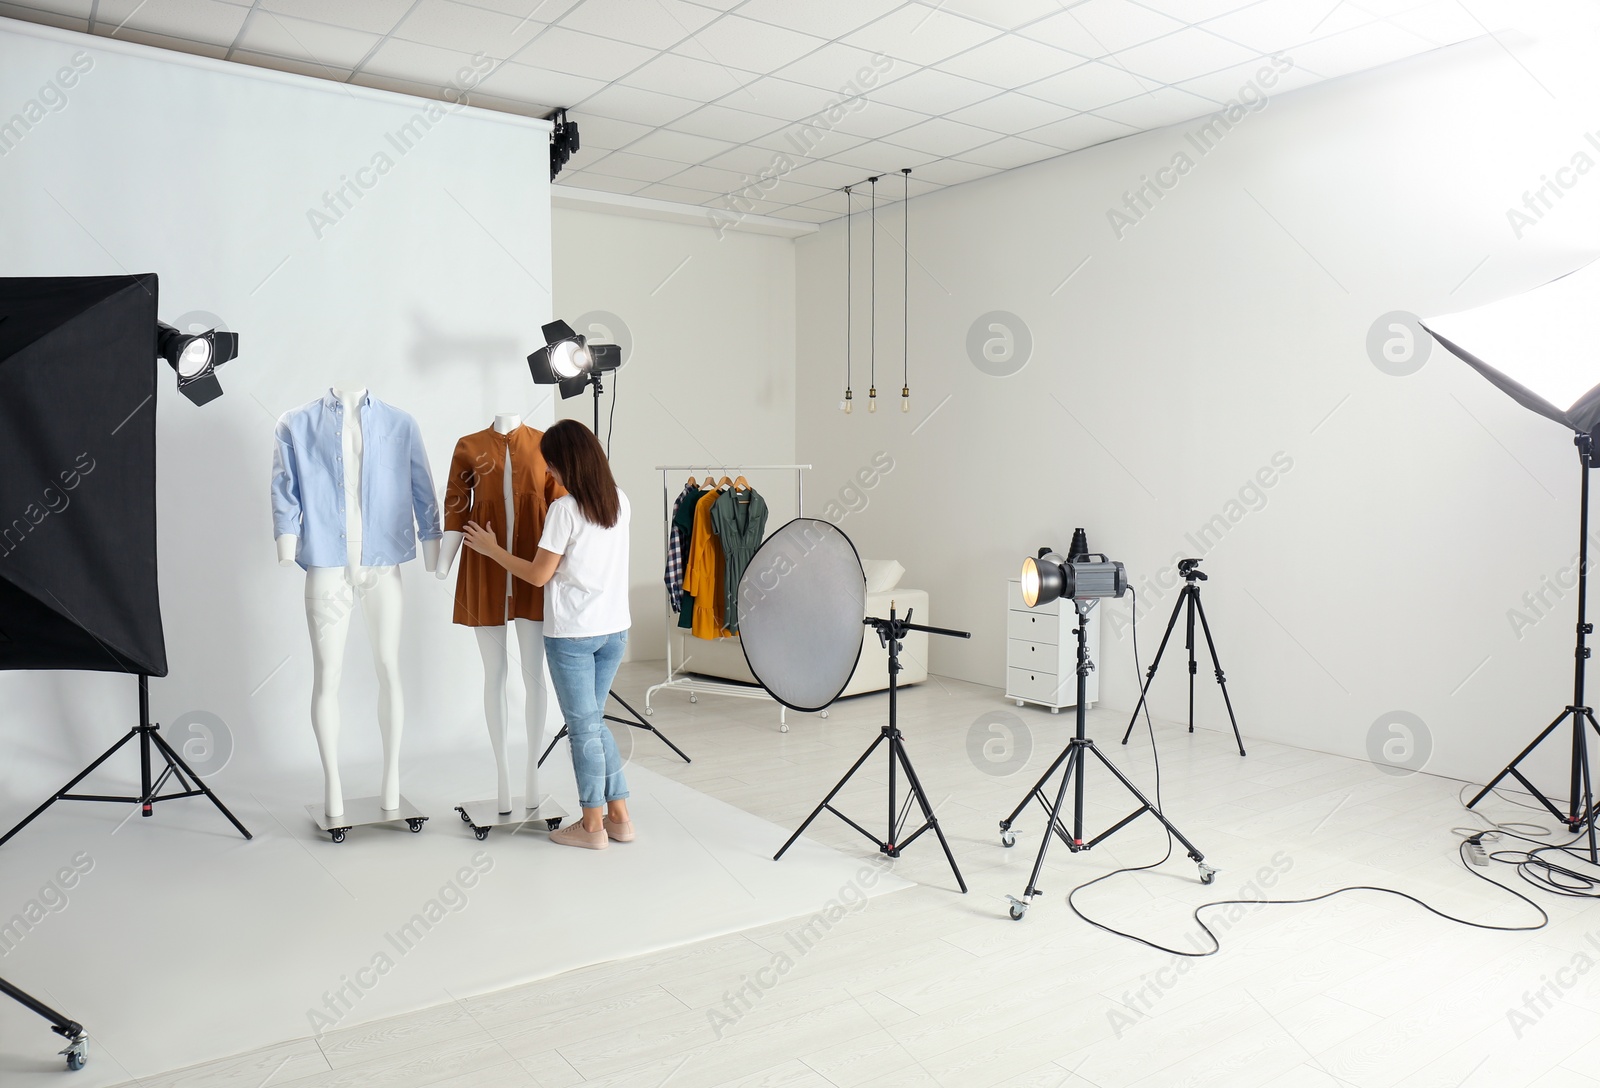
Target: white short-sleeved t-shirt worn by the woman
(588,594)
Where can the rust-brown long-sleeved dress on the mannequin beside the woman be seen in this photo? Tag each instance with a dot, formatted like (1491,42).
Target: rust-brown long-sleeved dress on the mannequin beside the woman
(476,492)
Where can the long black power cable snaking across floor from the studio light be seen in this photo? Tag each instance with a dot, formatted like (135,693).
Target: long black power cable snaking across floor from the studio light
(1530,868)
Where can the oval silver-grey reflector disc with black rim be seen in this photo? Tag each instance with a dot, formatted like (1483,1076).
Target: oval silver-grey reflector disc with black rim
(802,610)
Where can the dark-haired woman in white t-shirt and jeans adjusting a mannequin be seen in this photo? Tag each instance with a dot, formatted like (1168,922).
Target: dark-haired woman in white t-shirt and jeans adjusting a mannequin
(583,564)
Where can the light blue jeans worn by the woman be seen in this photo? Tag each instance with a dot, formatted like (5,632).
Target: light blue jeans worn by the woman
(582,671)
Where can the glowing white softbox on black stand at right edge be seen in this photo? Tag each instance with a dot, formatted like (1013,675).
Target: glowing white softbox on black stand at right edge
(1540,350)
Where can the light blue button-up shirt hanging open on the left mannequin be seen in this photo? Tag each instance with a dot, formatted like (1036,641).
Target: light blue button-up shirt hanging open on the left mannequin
(308,484)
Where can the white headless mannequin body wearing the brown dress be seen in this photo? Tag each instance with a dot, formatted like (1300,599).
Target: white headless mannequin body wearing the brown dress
(495,646)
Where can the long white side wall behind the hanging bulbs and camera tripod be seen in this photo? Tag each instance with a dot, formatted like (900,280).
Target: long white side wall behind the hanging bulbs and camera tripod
(1223,330)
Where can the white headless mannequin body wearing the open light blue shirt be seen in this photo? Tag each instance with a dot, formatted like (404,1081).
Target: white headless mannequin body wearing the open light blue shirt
(334,593)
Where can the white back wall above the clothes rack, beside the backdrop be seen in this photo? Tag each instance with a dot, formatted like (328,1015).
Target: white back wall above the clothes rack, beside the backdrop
(711,374)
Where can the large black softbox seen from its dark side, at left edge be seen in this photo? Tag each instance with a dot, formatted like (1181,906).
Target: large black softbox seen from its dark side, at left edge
(78,495)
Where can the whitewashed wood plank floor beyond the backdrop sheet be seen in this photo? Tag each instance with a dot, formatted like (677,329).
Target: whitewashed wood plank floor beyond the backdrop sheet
(935,988)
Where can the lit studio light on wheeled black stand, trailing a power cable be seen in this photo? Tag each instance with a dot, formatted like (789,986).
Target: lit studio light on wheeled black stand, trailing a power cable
(1084,580)
